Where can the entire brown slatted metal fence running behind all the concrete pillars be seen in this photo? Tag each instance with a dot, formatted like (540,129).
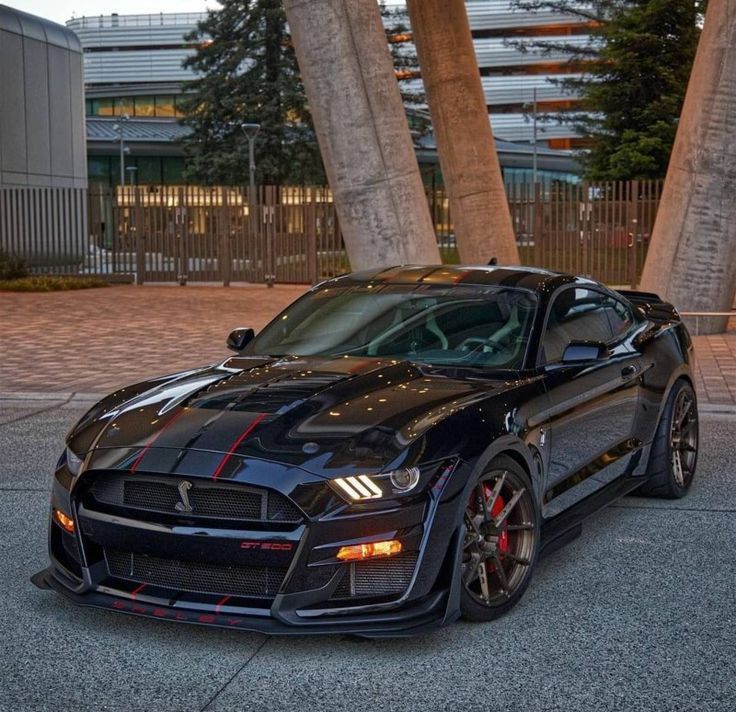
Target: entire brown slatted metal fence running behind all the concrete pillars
(212,234)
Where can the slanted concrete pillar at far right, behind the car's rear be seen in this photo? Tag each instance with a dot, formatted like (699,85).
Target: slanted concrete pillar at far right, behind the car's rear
(692,256)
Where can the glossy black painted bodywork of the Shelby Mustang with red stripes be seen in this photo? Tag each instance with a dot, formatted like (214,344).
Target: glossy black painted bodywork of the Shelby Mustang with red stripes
(581,428)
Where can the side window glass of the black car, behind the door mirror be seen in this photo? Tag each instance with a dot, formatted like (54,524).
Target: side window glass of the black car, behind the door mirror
(578,314)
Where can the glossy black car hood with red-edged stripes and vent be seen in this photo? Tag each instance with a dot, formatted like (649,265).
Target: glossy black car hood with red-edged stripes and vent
(324,415)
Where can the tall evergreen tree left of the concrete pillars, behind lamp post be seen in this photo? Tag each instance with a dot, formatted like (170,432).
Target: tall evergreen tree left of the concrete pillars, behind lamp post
(247,73)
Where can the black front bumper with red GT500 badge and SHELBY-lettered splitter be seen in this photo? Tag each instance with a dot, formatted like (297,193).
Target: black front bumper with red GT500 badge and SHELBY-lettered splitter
(312,594)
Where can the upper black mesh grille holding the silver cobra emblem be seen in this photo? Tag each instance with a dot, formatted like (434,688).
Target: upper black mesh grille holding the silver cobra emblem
(207,499)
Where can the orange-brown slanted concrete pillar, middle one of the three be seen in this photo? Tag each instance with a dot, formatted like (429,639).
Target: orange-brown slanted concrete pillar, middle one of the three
(467,151)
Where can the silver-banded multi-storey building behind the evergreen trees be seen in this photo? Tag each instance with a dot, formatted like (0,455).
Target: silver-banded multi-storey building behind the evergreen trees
(133,71)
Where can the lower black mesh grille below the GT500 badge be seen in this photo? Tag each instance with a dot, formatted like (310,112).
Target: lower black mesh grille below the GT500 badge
(196,576)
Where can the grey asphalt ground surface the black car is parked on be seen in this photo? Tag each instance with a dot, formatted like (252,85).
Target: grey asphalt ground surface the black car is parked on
(639,613)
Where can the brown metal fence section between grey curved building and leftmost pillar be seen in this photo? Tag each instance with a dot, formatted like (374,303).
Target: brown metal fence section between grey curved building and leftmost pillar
(187,233)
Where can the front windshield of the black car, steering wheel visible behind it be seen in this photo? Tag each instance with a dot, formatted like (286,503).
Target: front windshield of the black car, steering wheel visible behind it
(458,325)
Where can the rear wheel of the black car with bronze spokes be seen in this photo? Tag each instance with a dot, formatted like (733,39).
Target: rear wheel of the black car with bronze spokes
(674,453)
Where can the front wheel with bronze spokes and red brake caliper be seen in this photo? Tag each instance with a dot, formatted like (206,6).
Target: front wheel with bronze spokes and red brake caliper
(503,546)
